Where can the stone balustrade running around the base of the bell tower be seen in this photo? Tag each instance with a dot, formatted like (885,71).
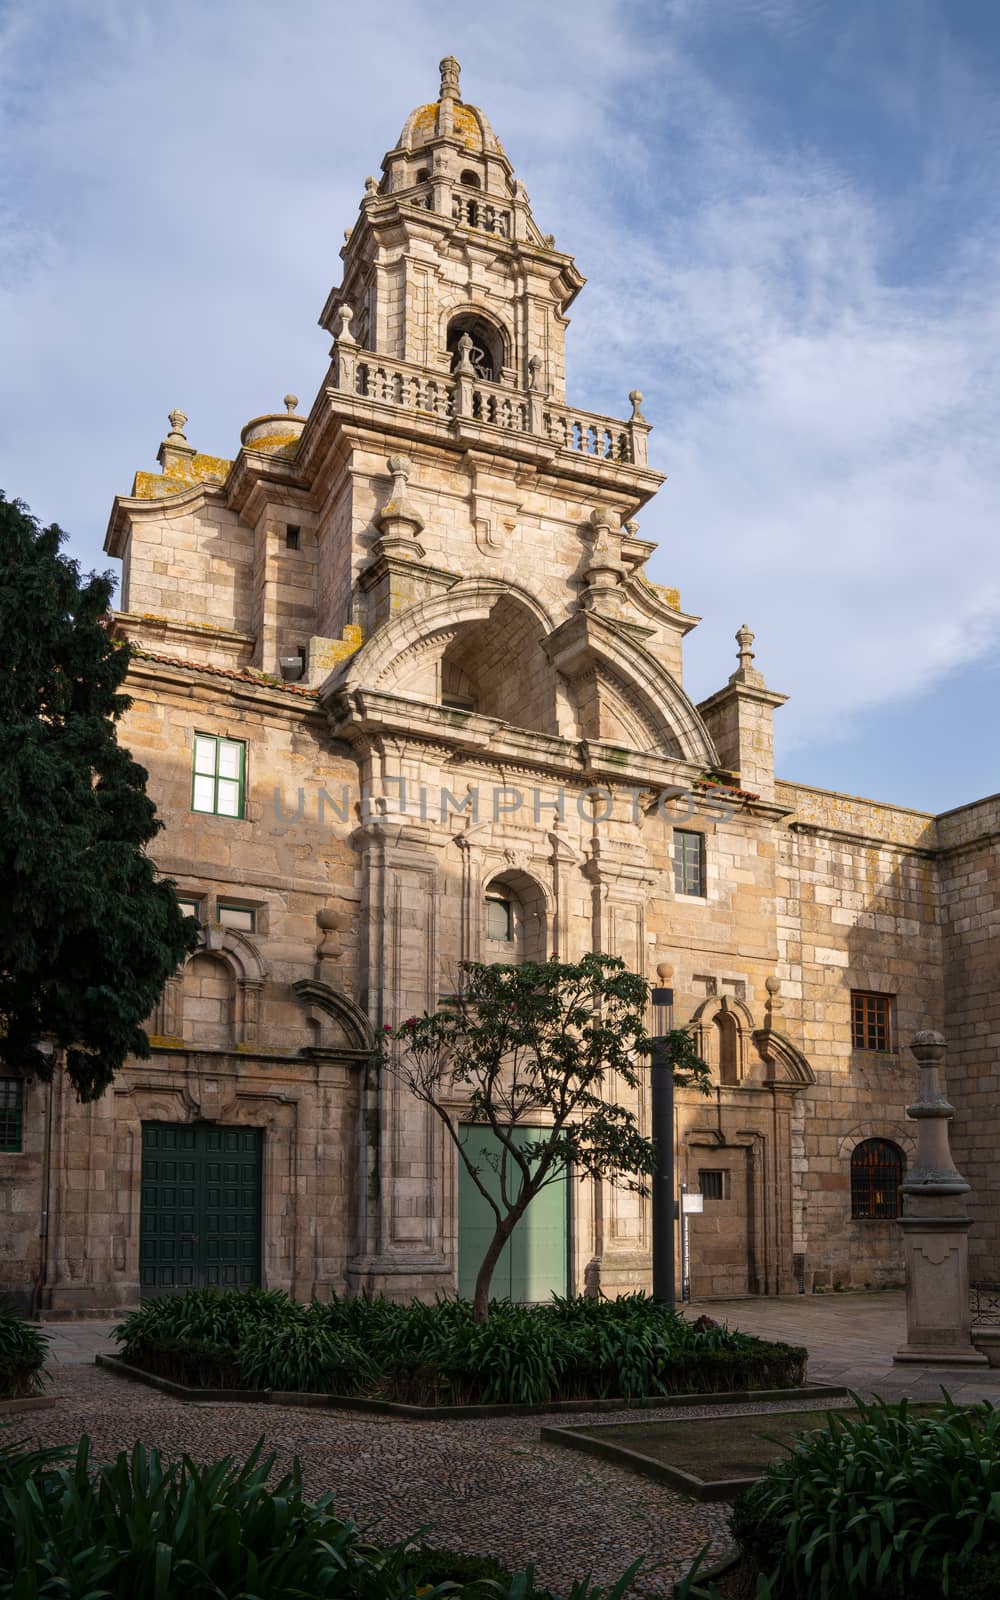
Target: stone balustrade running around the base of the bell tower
(409,388)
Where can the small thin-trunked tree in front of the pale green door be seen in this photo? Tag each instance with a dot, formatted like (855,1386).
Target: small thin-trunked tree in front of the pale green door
(542,1042)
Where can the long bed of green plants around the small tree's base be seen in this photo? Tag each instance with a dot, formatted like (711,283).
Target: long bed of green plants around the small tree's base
(574,1350)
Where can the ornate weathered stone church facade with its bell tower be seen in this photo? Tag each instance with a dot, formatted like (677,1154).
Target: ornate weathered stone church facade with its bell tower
(407,697)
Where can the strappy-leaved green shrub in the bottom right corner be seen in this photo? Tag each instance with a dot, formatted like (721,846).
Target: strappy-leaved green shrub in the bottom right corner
(882,1505)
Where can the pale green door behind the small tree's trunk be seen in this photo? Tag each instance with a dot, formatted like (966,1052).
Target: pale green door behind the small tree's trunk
(534,1263)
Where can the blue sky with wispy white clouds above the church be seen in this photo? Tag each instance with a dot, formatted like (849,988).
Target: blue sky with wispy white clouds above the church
(790,220)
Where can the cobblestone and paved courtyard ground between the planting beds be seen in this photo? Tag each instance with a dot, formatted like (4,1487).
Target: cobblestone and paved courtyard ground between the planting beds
(489,1487)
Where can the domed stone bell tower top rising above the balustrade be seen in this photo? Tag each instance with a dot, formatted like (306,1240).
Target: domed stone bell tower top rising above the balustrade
(446,266)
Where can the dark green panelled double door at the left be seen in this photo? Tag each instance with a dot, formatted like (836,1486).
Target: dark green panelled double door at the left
(201,1222)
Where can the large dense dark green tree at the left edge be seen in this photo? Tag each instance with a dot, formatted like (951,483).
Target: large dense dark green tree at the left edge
(89,935)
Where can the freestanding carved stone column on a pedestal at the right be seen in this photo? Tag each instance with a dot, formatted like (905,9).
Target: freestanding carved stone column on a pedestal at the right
(935,1228)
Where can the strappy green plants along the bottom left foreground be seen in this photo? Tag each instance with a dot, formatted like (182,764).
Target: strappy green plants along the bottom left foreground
(142,1527)
